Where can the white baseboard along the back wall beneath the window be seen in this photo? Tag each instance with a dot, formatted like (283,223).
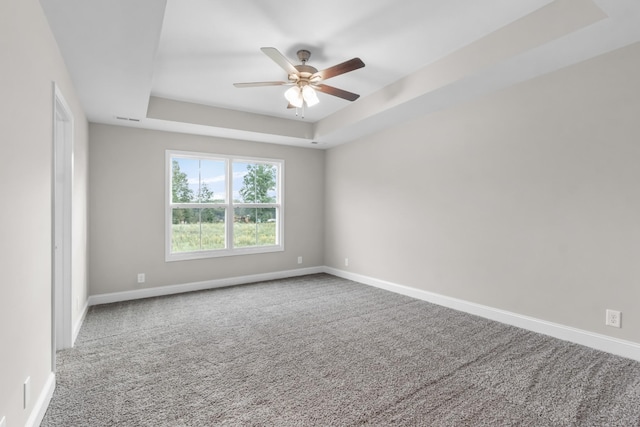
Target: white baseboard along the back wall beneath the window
(198,286)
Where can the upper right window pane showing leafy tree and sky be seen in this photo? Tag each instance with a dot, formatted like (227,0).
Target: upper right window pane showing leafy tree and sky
(254,182)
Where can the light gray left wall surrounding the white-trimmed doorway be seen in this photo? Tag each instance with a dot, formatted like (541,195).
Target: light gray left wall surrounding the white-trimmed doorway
(30,62)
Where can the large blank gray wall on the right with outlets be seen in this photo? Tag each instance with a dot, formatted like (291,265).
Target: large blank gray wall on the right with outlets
(527,200)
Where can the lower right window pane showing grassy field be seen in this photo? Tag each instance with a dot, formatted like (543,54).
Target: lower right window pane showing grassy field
(254,227)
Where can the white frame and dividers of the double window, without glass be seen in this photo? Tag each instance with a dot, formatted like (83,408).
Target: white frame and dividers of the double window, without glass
(229,205)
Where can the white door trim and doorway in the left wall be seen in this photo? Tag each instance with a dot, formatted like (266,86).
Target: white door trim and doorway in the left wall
(62,328)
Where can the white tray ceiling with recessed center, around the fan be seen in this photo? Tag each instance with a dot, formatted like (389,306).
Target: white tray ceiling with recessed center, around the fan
(172,64)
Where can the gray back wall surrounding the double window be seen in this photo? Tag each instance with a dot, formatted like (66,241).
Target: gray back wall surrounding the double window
(127,184)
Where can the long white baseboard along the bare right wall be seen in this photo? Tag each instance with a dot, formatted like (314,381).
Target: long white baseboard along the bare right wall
(616,346)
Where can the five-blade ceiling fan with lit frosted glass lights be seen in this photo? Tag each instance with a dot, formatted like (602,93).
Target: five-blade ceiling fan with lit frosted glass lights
(306,80)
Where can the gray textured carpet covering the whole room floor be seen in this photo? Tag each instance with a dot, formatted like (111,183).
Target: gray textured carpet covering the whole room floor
(323,351)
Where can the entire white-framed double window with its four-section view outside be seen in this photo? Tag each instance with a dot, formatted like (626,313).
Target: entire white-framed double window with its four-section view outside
(220,205)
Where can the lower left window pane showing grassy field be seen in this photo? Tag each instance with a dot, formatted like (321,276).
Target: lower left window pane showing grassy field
(197,229)
